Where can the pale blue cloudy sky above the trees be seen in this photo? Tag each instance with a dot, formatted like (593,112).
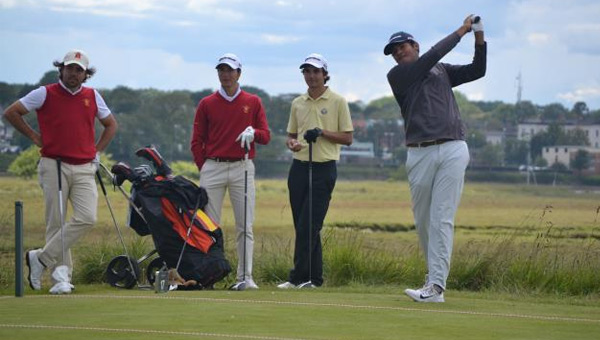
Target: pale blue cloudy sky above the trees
(173,45)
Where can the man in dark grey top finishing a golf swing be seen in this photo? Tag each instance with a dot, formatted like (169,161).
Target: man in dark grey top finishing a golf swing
(435,137)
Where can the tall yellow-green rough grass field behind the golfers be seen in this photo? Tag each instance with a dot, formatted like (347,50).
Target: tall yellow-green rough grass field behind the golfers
(514,239)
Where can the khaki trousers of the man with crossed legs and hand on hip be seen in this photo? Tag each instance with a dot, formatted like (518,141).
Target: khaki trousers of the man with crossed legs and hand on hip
(79,187)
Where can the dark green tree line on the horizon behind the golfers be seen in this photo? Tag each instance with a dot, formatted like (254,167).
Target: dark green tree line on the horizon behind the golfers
(165,118)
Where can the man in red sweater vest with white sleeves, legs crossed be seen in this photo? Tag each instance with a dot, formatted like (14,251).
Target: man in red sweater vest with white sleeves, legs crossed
(66,112)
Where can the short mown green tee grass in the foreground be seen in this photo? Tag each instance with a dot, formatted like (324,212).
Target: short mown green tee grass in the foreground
(376,313)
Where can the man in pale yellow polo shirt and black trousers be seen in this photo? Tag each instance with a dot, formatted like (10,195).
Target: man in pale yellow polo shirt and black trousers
(320,117)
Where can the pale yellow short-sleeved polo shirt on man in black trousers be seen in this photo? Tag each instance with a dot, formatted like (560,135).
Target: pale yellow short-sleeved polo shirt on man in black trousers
(328,112)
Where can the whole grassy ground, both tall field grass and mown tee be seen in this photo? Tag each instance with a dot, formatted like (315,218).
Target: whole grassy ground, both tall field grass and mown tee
(526,266)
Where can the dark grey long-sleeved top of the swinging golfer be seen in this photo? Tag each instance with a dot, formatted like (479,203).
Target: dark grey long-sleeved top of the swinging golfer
(423,89)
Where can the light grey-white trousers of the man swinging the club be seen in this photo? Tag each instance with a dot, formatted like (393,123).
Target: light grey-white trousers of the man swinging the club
(436,178)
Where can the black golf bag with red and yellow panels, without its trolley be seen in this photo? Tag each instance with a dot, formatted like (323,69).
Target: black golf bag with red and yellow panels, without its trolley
(168,204)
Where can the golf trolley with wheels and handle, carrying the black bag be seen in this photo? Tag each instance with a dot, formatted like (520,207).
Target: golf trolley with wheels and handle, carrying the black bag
(170,209)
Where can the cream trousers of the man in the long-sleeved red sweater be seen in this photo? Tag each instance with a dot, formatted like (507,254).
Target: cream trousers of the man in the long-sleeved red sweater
(216,178)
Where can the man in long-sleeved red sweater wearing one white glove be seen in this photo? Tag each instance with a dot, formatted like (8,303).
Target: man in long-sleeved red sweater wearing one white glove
(227,123)
